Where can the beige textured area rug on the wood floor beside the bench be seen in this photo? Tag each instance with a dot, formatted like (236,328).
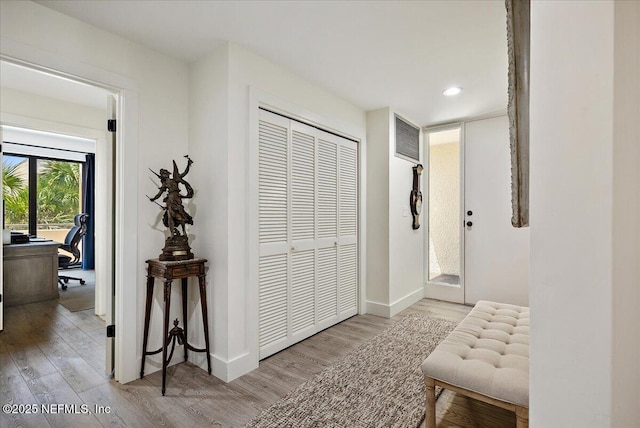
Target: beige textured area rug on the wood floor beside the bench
(380,384)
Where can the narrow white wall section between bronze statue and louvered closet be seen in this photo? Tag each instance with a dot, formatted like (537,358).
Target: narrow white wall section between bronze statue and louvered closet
(208,139)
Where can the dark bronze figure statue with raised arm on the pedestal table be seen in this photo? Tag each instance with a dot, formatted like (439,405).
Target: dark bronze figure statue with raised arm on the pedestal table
(175,217)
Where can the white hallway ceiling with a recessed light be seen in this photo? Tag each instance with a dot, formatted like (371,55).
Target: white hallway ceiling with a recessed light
(399,54)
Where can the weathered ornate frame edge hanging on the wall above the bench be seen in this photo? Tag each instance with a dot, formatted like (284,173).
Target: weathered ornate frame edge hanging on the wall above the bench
(518,40)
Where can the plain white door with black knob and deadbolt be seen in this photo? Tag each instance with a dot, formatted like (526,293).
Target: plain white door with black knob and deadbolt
(496,255)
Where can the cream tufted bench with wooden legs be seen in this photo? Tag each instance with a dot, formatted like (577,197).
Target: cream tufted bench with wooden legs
(486,357)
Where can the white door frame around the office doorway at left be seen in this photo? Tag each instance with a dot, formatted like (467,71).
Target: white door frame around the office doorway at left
(126,301)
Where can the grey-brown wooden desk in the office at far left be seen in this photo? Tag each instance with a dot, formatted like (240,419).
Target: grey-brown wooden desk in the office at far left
(30,272)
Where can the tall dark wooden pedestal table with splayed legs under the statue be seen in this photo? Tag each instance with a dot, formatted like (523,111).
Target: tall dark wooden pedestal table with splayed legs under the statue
(168,271)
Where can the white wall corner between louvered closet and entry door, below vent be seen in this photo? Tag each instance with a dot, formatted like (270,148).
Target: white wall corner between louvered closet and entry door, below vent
(395,265)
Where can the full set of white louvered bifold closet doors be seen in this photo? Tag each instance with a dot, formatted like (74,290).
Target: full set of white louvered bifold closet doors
(308,231)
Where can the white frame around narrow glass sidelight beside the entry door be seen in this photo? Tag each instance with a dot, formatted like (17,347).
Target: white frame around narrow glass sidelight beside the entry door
(432,289)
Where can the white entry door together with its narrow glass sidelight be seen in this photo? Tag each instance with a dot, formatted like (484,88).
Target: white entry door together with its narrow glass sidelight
(474,253)
